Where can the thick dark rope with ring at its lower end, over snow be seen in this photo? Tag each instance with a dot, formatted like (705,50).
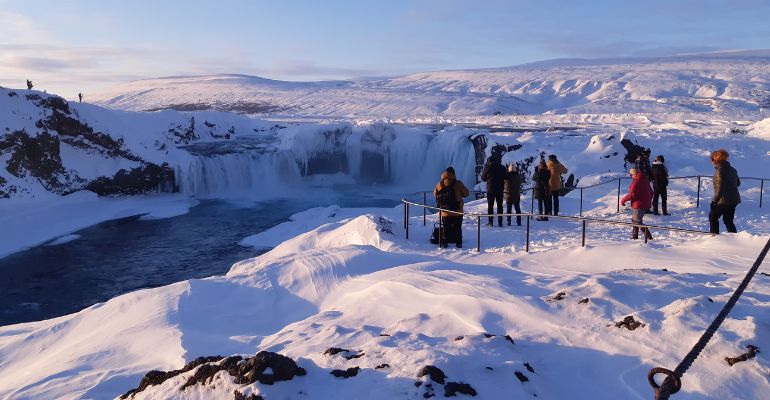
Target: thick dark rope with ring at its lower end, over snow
(672,383)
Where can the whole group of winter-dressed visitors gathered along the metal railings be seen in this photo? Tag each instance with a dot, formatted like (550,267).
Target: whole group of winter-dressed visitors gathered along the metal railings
(648,185)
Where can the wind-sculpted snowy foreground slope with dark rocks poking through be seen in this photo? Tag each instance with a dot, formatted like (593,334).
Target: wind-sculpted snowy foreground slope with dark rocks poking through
(394,306)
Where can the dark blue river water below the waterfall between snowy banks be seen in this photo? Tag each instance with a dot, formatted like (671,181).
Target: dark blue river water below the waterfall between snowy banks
(120,256)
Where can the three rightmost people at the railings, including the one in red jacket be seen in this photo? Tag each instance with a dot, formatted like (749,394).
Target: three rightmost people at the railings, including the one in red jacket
(642,196)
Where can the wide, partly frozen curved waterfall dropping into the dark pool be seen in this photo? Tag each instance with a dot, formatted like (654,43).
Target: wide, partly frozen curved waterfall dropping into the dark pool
(410,159)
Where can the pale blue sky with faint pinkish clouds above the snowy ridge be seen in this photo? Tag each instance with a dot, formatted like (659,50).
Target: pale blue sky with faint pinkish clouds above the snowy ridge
(66,47)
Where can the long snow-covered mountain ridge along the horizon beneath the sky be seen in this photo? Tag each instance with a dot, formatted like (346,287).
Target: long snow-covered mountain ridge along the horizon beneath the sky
(731,83)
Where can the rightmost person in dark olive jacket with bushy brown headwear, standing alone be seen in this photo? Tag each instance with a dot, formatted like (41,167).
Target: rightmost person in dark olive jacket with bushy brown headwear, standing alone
(726,194)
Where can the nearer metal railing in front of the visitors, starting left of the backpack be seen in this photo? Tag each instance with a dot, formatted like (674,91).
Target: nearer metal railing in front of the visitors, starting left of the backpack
(584,221)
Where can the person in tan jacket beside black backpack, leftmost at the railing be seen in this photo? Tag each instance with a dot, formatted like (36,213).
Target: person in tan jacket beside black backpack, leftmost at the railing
(449,193)
